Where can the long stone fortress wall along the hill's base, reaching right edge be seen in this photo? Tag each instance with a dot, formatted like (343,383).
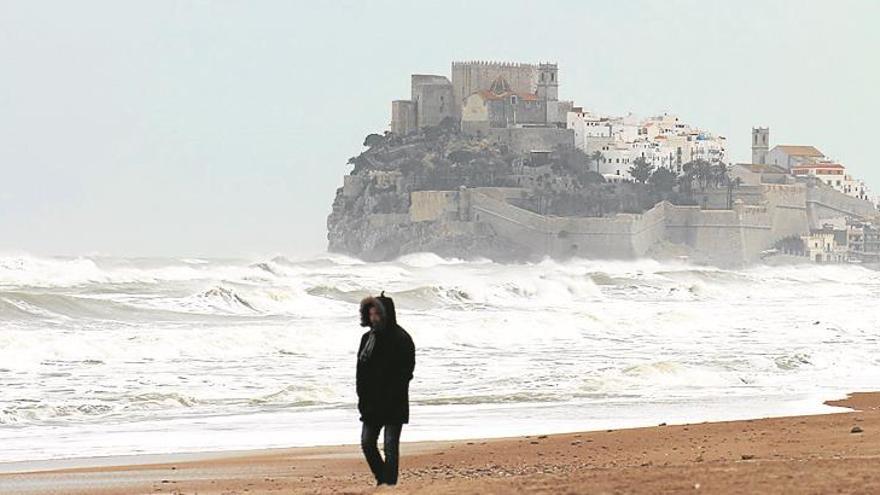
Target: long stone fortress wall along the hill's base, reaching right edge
(759,217)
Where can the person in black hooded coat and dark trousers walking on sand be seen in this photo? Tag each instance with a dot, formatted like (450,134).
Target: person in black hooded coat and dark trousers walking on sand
(385,363)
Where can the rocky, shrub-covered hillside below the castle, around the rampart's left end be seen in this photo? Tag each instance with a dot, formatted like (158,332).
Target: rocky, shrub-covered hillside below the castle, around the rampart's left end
(372,218)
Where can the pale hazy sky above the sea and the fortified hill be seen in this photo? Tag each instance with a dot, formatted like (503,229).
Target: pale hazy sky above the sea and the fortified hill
(223,128)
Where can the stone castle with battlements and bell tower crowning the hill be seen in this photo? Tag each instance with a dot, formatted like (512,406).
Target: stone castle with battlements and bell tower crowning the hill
(512,103)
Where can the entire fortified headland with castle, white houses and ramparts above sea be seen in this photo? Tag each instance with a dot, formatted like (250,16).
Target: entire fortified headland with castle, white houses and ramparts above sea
(491,163)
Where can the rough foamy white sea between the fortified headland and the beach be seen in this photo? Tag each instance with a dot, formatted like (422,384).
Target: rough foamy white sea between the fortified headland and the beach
(107,356)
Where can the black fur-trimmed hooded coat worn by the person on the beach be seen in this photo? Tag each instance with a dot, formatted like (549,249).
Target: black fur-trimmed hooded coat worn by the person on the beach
(383,377)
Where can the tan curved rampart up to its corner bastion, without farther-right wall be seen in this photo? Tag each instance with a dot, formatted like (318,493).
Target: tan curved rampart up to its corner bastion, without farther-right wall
(759,217)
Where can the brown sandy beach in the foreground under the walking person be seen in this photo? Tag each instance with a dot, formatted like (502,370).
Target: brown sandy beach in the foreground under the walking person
(830,453)
